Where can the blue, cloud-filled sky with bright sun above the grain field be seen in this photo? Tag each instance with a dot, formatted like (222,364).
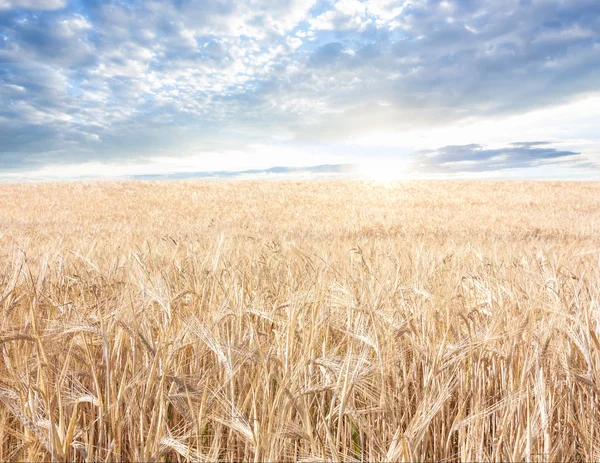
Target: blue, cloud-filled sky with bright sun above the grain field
(378,88)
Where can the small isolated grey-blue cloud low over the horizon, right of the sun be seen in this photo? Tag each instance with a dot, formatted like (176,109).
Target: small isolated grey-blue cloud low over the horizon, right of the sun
(477,158)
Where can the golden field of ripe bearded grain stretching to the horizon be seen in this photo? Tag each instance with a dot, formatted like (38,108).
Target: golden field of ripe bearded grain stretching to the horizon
(299,321)
